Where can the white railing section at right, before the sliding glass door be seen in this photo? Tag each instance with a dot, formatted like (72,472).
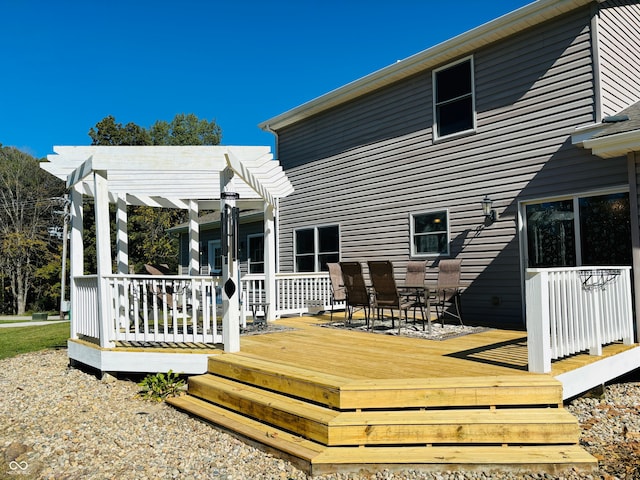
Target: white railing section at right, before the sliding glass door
(573,310)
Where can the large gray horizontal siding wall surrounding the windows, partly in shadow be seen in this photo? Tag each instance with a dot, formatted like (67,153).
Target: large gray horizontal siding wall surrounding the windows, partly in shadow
(368,164)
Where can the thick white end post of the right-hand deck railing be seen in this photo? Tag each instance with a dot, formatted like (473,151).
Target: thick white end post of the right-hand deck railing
(537,311)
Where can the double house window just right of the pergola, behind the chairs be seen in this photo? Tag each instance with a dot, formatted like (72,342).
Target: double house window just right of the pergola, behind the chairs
(315,247)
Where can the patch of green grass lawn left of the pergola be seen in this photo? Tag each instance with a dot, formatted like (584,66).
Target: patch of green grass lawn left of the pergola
(16,340)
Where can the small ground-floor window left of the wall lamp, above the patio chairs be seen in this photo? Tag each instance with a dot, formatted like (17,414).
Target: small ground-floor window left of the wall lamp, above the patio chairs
(430,233)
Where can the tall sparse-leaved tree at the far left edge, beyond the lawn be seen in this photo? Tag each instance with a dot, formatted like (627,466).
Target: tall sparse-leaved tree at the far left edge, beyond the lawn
(26,207)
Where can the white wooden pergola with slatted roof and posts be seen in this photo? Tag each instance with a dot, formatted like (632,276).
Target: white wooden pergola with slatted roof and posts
(192,178)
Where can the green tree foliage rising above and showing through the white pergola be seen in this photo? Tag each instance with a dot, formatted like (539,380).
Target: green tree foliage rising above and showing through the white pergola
(149,241)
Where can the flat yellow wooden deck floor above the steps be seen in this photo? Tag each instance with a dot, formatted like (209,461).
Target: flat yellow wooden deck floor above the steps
(363,355)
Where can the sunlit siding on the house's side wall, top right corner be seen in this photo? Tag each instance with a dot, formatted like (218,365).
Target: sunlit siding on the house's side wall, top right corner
(619,44)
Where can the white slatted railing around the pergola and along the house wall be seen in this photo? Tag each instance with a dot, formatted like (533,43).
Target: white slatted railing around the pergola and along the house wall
(183,309)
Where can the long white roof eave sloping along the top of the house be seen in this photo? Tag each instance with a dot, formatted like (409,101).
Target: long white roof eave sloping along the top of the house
(457,47)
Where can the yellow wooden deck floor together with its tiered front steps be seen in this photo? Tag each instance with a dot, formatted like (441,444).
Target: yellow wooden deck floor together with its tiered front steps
(335,400)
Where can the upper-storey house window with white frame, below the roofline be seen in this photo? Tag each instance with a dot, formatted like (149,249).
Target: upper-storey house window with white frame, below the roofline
(453,93)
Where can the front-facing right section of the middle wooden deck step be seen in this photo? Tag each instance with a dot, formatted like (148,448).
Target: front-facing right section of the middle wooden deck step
(465,426)
